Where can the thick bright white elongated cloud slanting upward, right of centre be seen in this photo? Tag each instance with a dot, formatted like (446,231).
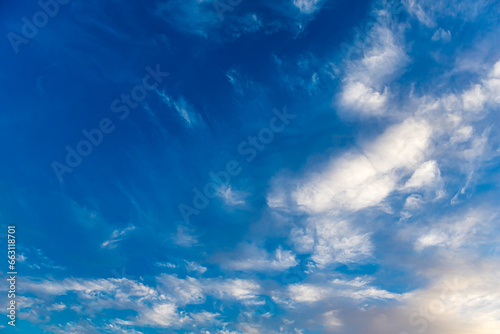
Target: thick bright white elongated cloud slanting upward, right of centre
(356,181)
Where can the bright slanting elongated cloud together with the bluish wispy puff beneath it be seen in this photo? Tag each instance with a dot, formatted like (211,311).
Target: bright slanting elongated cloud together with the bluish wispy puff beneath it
(349,183)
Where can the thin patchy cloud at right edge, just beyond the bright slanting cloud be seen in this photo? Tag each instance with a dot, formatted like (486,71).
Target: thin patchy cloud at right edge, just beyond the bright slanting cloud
(462,140)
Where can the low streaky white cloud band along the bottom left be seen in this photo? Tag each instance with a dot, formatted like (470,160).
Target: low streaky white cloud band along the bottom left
(155,307)
